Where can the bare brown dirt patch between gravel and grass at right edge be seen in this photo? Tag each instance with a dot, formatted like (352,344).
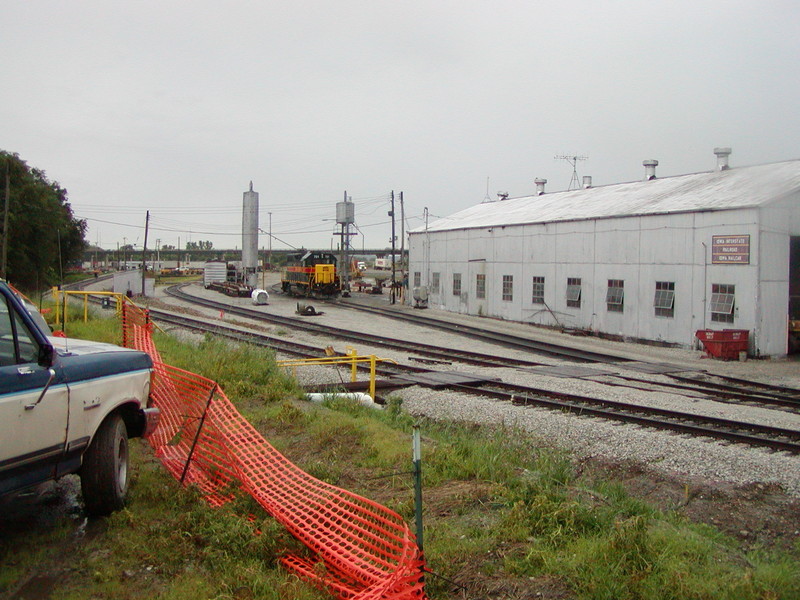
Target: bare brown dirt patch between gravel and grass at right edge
(757,514)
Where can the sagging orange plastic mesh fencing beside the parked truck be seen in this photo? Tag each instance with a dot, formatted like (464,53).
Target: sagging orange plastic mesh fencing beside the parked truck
(362,550)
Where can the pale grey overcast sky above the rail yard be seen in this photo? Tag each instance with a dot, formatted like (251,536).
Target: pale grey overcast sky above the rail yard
(174,107)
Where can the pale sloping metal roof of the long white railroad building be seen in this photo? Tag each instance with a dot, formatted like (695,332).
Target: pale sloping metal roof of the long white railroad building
(716,190)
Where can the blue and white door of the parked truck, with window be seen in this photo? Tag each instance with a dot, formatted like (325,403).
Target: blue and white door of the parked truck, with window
(33,425)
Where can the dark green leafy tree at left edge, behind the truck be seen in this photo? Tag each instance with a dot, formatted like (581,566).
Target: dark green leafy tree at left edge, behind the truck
(43,234)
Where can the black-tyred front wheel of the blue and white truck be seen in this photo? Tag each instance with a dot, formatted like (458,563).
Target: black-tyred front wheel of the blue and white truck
(104,474)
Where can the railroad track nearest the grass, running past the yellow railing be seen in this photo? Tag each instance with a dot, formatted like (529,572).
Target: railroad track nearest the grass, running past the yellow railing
(684,423)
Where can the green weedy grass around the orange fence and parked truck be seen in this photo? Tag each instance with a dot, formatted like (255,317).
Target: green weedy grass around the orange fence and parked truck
(501,512)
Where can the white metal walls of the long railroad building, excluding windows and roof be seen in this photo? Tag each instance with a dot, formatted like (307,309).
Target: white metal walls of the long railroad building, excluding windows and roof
(637,250)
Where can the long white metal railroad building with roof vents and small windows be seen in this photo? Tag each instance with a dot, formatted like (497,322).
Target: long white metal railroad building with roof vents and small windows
(654,260)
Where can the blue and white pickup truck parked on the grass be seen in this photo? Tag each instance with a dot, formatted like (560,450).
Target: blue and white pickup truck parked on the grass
(67,406)
